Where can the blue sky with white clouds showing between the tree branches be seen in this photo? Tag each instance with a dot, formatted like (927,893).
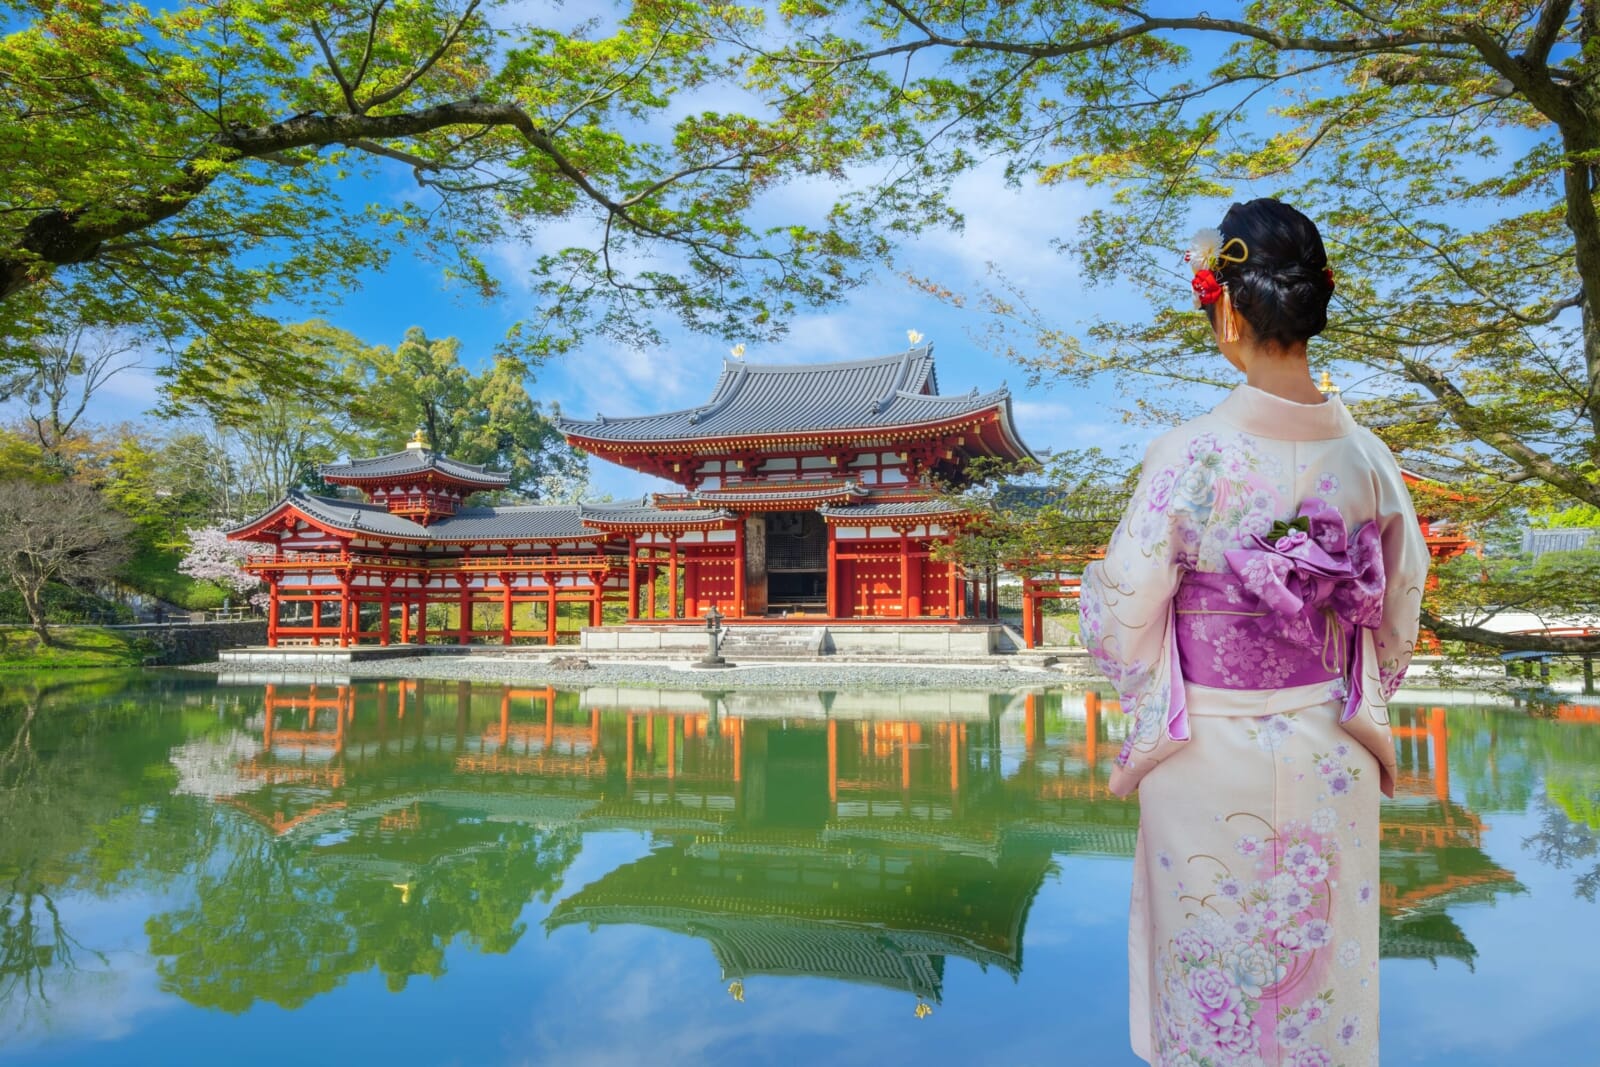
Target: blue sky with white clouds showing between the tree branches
(1009,228)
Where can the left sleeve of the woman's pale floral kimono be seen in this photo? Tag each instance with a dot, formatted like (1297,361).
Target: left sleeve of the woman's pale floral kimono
(1126,607)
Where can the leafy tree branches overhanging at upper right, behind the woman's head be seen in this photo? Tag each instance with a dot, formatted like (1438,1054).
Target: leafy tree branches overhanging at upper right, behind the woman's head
(1449,153)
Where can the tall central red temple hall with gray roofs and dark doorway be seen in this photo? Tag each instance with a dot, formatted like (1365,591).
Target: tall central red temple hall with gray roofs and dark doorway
(807,490)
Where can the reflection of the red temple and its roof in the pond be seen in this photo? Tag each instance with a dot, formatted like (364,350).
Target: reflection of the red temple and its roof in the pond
(855,837)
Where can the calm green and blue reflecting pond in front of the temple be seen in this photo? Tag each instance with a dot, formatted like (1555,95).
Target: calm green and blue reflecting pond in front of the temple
(447,874)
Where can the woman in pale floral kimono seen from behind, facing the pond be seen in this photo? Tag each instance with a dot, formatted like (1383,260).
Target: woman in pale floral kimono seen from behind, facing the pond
(1255,610)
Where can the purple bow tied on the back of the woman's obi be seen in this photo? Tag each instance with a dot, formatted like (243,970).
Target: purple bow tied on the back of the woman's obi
(1316,583)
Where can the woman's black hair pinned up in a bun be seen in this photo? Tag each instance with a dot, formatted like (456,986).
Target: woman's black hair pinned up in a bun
(1284,286)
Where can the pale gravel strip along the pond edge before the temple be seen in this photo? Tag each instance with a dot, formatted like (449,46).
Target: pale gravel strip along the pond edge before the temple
(665,676)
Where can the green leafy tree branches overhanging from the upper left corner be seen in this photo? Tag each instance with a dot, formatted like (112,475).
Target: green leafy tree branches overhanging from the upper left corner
(186,167)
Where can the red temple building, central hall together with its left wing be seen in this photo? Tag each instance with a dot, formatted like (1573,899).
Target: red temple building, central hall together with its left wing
(809,492)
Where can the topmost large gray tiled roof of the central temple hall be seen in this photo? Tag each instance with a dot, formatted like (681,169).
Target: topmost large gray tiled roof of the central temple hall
(775,399)
